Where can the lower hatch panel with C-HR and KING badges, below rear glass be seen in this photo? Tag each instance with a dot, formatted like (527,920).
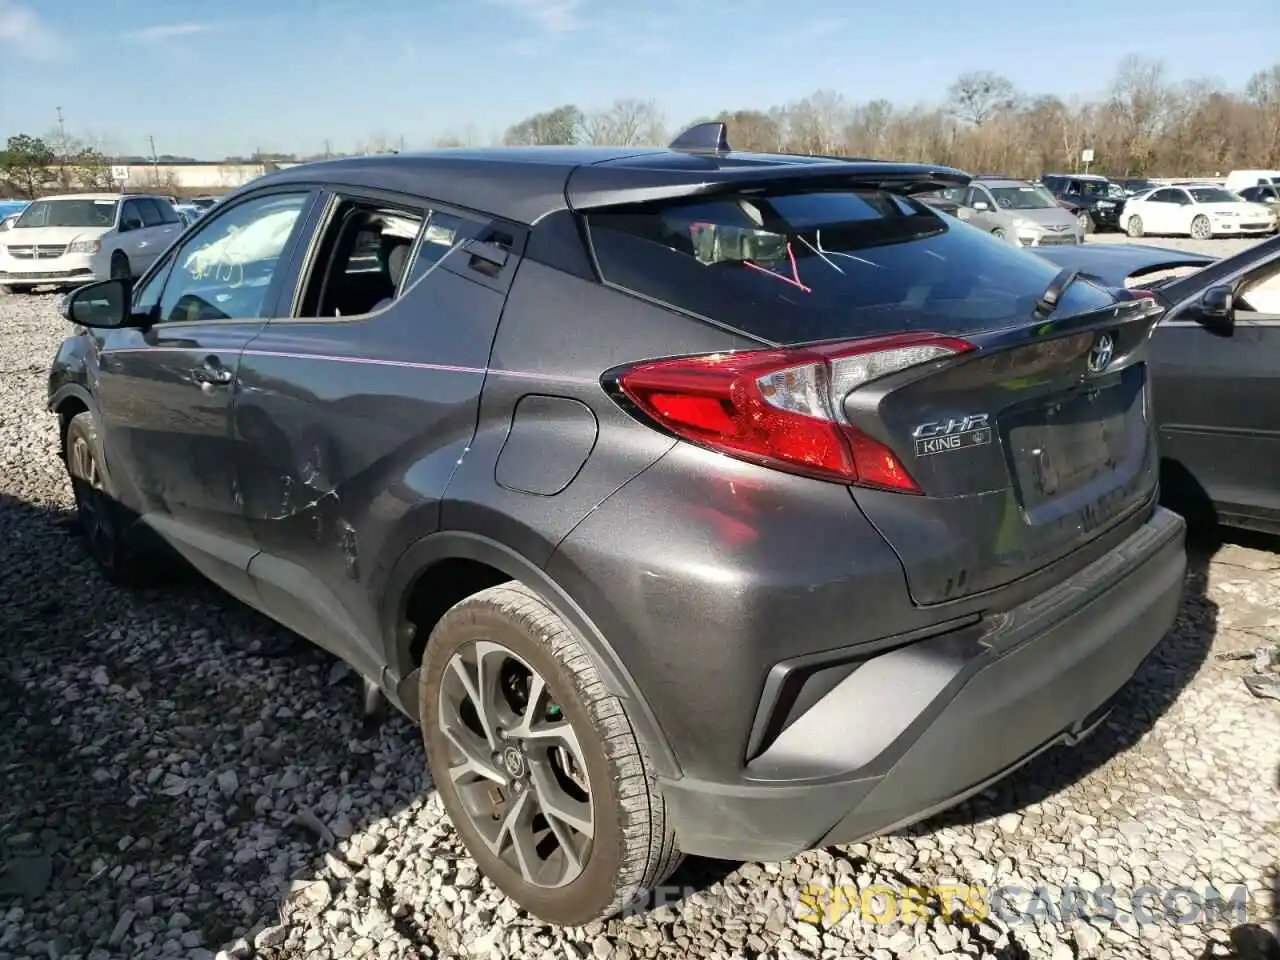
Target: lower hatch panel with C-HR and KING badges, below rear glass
(1026,450)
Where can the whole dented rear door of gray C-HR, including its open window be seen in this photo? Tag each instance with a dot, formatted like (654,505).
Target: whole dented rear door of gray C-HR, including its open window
(358,404)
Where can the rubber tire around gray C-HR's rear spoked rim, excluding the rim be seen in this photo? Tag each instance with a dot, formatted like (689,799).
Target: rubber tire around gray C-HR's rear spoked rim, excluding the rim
(633,848)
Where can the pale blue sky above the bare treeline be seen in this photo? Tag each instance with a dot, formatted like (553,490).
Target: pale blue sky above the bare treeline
(228,77)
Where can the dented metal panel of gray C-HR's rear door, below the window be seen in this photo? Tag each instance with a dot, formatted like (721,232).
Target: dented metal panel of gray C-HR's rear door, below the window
(348,435)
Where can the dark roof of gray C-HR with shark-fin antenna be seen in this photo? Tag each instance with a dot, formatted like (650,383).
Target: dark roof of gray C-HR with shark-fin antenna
(528,184)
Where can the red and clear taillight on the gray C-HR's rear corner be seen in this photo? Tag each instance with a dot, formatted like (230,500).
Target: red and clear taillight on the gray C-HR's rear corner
(785,408)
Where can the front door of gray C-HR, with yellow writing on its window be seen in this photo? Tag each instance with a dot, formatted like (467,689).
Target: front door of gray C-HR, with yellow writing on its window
(164,386)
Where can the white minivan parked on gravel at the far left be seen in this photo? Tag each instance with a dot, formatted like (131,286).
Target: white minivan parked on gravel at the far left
(72,240)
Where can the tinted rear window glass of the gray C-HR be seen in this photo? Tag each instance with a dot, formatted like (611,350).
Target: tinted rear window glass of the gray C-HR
(819,266)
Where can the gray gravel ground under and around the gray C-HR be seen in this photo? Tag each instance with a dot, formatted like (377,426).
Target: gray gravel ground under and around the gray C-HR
(182,778)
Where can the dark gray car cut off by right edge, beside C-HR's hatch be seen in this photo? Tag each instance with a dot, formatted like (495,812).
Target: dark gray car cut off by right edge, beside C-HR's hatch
(1215,359)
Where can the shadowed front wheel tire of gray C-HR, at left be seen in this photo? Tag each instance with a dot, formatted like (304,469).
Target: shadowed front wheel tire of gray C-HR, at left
(100,518)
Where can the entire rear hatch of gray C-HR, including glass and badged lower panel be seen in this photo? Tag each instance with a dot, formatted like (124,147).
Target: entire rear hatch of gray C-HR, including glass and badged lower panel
(1025,447)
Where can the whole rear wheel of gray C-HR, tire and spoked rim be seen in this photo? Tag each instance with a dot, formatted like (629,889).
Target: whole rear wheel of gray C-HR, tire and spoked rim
(537,765)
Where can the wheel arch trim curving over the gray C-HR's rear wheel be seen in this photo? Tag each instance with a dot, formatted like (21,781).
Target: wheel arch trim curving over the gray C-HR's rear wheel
(468,561)
